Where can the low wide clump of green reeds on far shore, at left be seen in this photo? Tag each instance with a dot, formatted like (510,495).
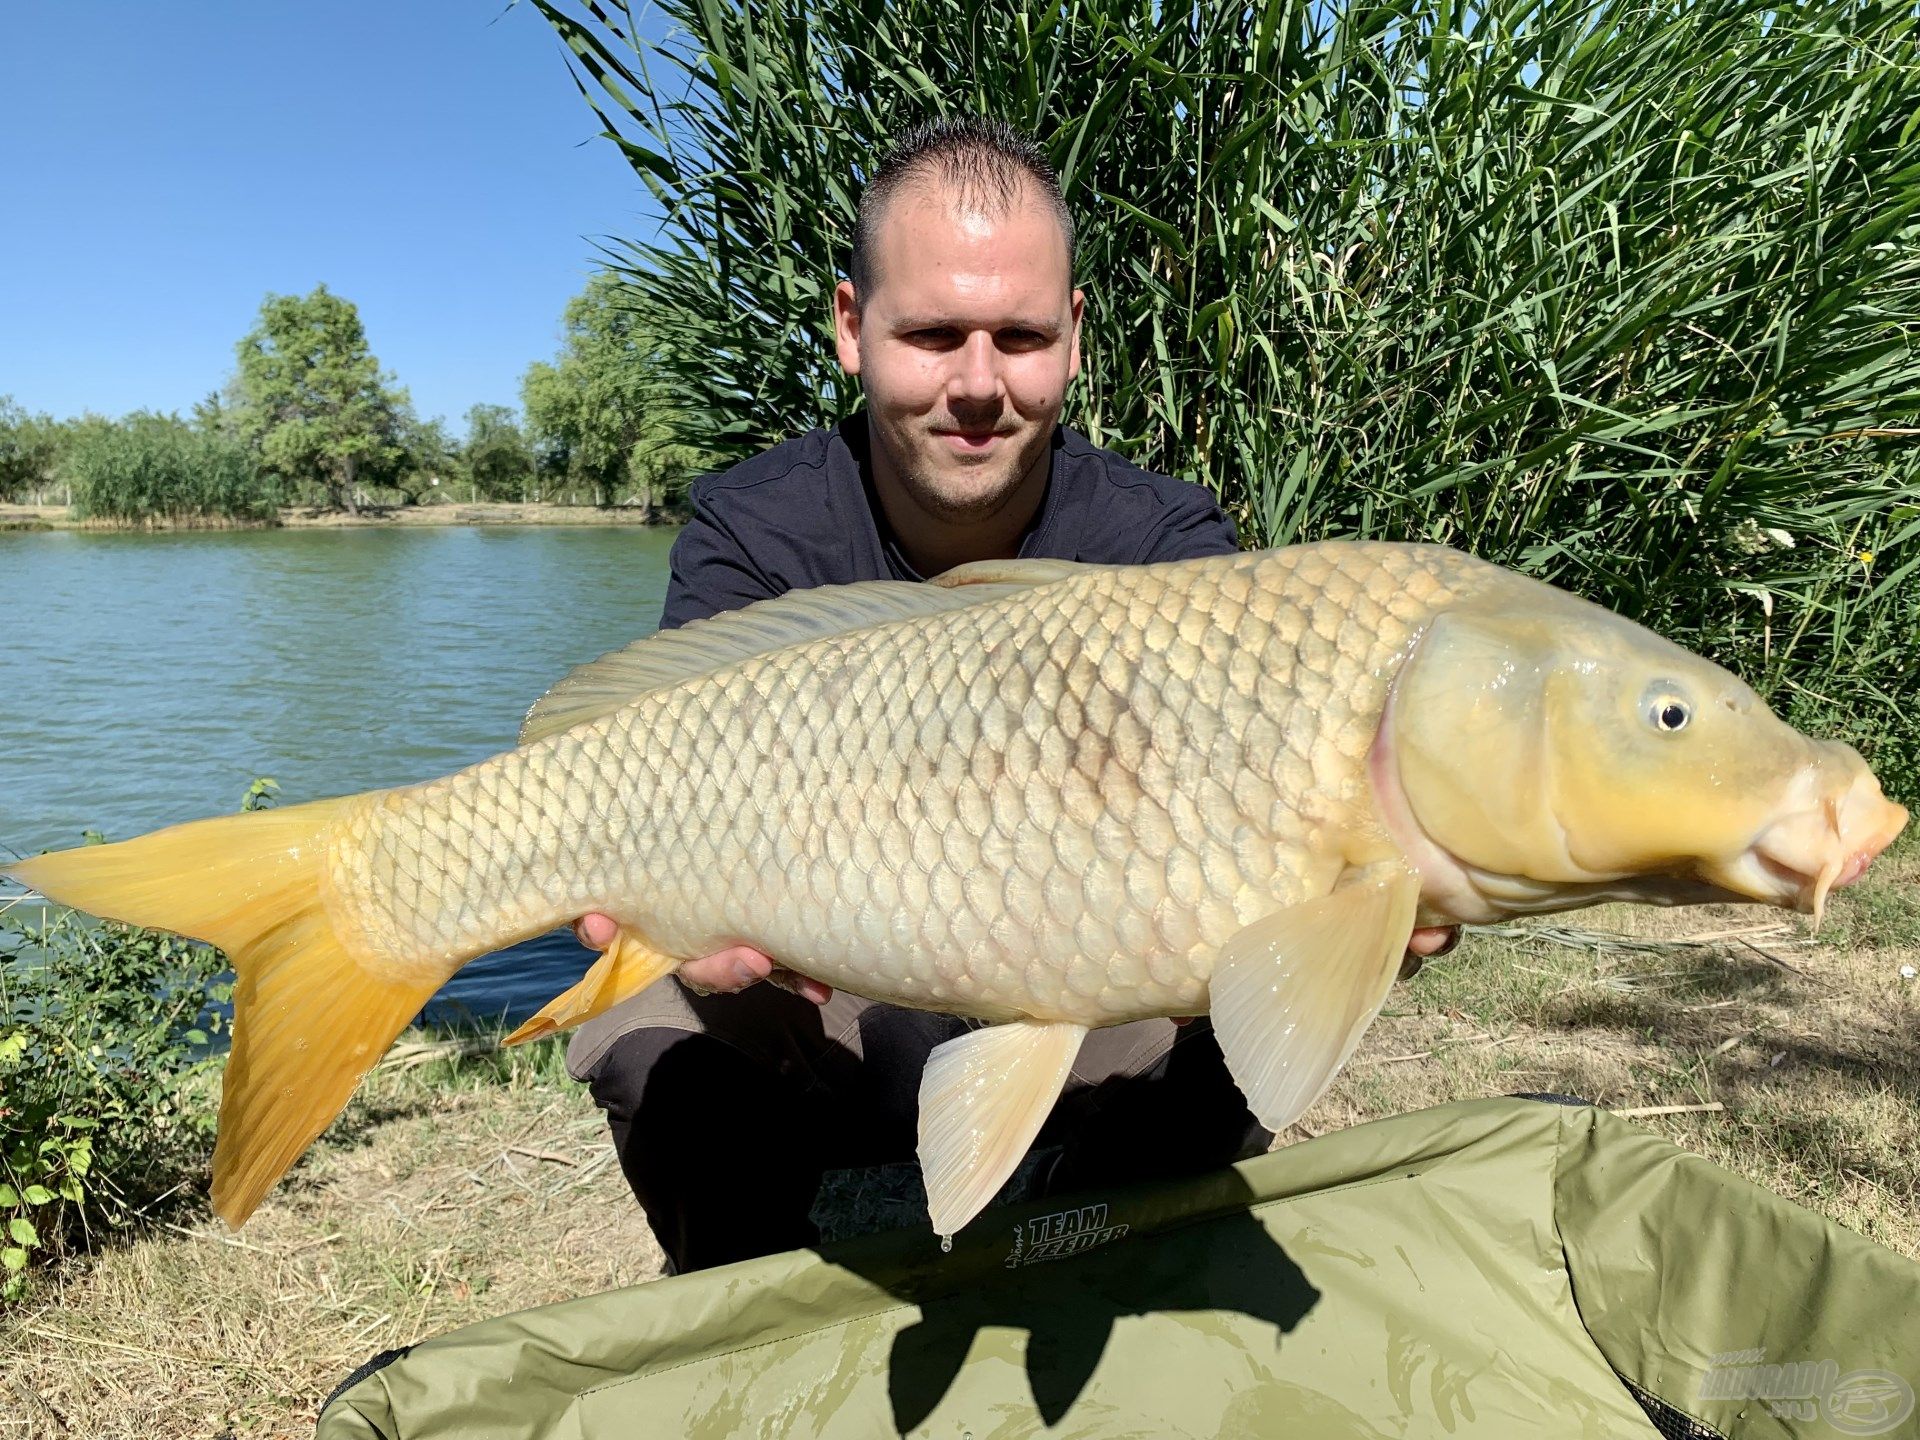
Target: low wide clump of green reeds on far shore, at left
(160,469)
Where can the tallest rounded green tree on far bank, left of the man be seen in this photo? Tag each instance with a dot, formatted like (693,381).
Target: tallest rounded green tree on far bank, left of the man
(316,408)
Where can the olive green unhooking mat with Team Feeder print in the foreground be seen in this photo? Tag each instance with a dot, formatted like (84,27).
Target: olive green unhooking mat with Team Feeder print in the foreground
(1499,1268)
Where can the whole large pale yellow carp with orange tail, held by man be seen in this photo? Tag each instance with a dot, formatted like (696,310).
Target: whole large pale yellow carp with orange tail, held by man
(1040,794)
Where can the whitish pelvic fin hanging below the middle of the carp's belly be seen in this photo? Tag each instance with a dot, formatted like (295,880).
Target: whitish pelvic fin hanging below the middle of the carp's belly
(982,1101)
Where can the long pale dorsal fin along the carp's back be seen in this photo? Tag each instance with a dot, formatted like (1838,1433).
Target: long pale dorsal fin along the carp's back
(706,646)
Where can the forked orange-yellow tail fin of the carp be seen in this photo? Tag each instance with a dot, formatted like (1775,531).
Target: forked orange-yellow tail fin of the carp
(310,1019)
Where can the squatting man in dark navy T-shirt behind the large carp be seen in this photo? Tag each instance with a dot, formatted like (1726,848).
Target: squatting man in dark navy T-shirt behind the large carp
(963,324)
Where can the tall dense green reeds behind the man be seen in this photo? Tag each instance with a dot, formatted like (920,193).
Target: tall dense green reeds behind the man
(1623,295)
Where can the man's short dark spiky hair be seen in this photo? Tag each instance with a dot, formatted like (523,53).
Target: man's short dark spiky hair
(986,160)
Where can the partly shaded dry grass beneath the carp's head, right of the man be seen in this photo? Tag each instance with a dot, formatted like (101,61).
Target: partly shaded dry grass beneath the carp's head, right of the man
(1812,1051)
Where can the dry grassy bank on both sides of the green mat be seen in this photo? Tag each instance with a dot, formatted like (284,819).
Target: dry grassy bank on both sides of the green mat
(466,1182)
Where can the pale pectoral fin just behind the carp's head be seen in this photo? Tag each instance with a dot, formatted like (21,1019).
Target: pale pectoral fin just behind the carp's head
(1295,992)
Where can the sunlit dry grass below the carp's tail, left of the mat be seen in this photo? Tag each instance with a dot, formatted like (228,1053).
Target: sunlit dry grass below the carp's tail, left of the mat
(448,1193)
